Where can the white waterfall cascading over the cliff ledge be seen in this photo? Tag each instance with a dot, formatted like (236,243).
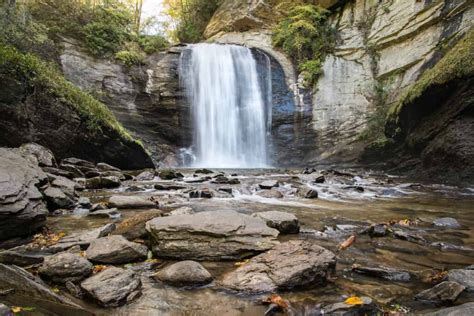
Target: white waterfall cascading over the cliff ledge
(228,106)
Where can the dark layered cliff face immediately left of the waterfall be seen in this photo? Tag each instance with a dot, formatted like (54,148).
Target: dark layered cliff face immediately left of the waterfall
(146,99)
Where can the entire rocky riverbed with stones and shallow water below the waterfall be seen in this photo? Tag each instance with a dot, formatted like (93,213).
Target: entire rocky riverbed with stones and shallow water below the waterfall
(228,242)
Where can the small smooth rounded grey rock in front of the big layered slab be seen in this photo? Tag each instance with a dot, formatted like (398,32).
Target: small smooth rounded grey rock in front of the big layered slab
(184,273)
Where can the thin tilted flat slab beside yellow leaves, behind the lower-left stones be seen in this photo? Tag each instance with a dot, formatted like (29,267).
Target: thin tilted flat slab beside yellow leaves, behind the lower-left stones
(82,239)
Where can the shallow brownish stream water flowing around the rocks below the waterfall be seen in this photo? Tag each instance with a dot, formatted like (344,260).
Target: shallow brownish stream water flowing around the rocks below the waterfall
(346,205)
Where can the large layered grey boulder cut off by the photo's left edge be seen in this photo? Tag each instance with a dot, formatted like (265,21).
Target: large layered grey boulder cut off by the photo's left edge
(22,211)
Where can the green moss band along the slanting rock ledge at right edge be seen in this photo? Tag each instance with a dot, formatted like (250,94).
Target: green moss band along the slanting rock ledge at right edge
(457,63)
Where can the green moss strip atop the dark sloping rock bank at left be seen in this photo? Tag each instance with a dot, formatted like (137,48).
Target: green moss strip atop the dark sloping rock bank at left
(42,76)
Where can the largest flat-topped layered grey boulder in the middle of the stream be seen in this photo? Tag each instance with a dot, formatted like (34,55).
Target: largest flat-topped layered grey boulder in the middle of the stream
(211,235)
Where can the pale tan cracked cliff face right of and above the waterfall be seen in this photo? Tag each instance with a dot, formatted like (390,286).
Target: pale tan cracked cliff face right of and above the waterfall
(383,47)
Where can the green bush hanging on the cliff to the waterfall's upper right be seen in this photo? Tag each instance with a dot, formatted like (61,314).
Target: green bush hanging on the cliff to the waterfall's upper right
(305,35)
